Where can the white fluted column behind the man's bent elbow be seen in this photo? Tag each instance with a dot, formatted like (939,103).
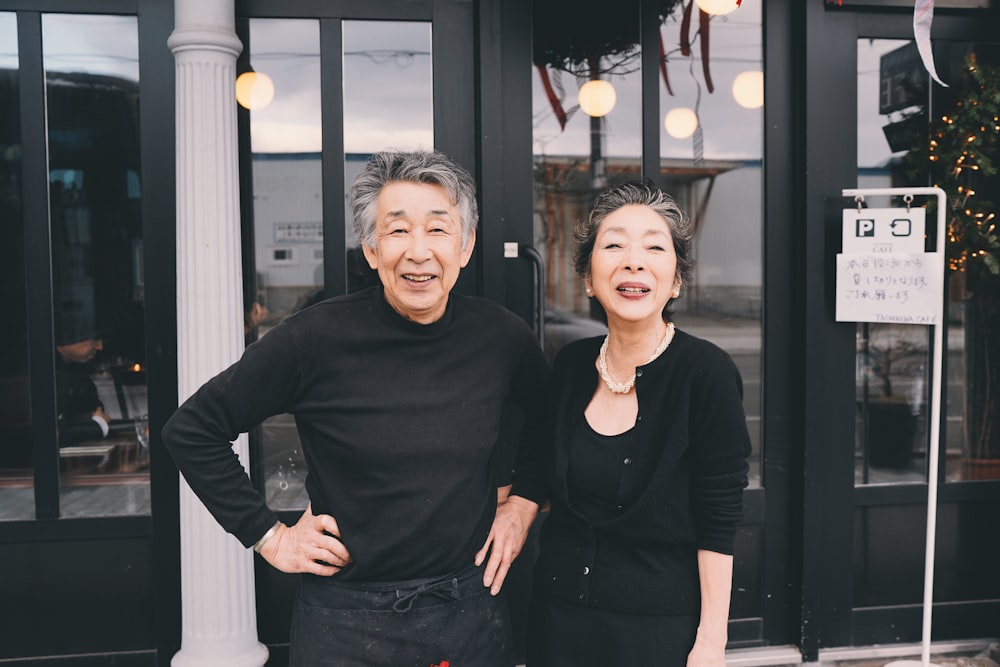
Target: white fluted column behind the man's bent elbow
(219,624)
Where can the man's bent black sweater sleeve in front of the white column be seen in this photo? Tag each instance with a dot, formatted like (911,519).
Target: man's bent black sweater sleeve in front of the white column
(264,382)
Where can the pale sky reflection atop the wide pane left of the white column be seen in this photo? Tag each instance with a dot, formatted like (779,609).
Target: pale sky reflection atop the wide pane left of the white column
(91,43)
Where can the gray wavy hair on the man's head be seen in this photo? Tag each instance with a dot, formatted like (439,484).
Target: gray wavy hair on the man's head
(432,167)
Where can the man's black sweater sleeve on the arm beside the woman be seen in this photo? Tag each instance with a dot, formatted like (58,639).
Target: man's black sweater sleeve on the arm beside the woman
(529,391)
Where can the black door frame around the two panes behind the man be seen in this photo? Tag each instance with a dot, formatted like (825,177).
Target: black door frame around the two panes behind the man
(455,96)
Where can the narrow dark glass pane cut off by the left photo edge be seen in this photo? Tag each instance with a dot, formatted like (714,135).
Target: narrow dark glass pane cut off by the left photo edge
(17,499)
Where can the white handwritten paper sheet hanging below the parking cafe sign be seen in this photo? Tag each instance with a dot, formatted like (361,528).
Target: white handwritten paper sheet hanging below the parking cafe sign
(905,288)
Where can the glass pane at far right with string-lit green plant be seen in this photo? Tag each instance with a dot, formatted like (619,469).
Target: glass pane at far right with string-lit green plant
(972,138)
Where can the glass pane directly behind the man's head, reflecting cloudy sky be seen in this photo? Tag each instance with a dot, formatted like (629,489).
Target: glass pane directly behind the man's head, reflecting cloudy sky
(388,103)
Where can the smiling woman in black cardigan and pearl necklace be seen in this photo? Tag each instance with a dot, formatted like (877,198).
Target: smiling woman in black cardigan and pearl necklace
(647,462)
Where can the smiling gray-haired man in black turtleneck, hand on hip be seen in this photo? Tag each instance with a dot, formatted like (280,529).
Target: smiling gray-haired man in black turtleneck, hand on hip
(397,392)
